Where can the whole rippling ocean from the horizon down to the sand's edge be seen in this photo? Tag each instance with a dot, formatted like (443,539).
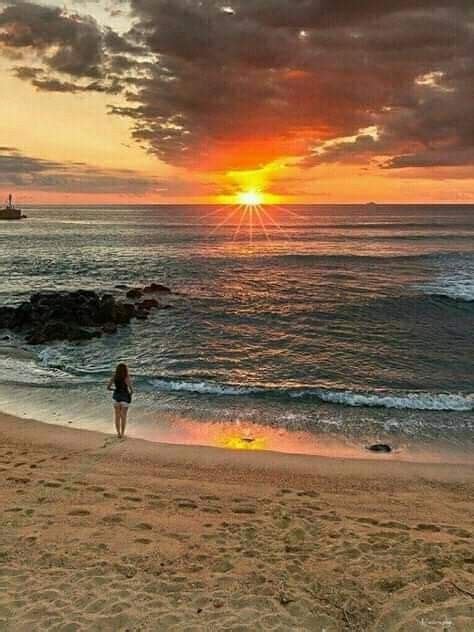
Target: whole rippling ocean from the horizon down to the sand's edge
(318,326)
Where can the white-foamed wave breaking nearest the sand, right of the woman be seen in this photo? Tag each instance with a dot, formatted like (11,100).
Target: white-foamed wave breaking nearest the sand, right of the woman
(408,401)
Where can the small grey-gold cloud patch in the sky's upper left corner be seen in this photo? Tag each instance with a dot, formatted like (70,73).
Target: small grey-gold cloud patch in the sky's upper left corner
(67,45)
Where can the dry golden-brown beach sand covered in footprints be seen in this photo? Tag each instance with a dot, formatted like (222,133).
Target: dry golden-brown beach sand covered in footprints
(102,534)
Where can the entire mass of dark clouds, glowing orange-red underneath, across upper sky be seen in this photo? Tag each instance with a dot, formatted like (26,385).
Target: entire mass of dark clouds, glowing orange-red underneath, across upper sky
(211,84)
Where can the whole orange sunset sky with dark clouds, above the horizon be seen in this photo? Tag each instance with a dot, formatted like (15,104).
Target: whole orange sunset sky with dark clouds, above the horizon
(196,101)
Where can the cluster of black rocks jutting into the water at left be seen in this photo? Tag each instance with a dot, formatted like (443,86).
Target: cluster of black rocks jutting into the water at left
(78,315)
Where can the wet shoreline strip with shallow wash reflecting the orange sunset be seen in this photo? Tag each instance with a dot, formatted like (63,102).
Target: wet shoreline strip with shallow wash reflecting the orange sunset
(331,429)
